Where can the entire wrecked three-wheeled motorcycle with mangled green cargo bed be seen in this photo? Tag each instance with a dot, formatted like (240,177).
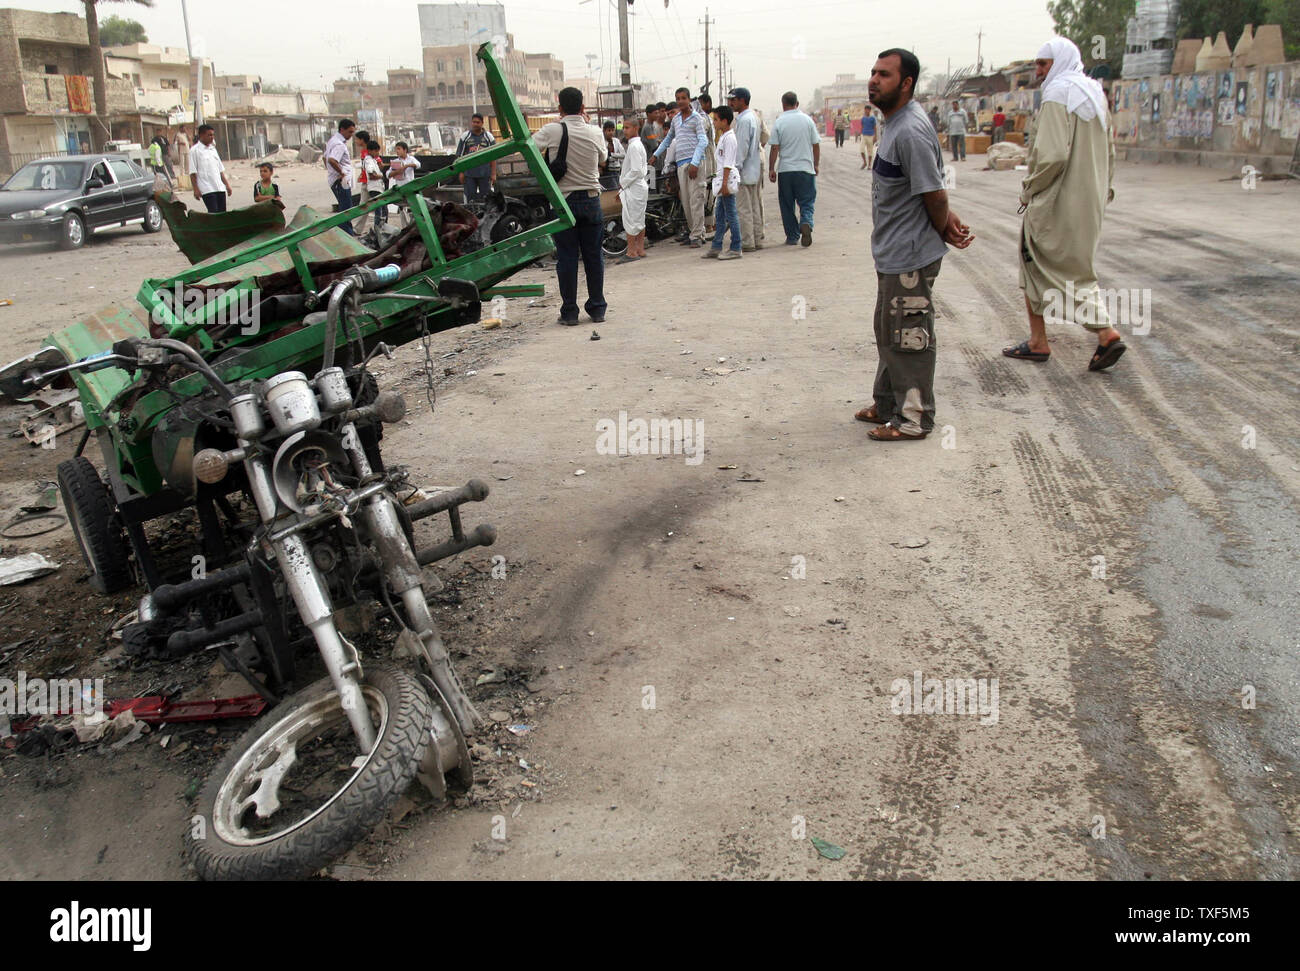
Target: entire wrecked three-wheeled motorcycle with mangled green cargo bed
(272,435)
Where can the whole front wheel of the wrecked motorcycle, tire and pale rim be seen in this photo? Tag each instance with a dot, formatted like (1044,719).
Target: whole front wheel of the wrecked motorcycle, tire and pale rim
(293,795)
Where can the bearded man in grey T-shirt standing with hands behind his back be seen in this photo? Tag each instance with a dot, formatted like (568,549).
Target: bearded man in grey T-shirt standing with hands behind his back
(911,227)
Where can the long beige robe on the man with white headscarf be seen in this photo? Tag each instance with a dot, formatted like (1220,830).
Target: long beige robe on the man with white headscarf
(1072,171)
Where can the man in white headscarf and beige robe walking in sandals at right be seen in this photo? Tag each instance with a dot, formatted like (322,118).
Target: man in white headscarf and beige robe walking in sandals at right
(1072,170)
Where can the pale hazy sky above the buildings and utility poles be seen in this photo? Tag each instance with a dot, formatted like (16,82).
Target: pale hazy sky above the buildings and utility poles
(311,42)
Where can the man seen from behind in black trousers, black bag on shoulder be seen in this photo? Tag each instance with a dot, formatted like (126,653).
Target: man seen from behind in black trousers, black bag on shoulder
(582,189)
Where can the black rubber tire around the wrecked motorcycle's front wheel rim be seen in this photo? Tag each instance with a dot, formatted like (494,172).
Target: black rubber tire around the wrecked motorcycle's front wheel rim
(349,816)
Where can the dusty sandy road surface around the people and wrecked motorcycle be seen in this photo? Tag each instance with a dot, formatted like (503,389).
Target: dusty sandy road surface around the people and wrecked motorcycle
(712,649)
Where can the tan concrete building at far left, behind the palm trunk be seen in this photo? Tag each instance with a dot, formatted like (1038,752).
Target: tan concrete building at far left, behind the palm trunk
(47,90)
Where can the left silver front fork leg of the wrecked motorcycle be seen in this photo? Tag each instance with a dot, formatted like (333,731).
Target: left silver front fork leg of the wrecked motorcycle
(311,597)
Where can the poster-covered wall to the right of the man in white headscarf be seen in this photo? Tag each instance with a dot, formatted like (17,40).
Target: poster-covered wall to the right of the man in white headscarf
(1237,112)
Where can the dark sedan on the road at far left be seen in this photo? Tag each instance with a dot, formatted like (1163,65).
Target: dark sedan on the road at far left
(67,198)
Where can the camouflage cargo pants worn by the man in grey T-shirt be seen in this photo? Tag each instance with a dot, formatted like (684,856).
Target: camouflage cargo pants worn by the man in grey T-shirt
(905,344)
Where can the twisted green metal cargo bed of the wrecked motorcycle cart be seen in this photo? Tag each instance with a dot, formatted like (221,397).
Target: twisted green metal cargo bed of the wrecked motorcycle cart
(309,240)
